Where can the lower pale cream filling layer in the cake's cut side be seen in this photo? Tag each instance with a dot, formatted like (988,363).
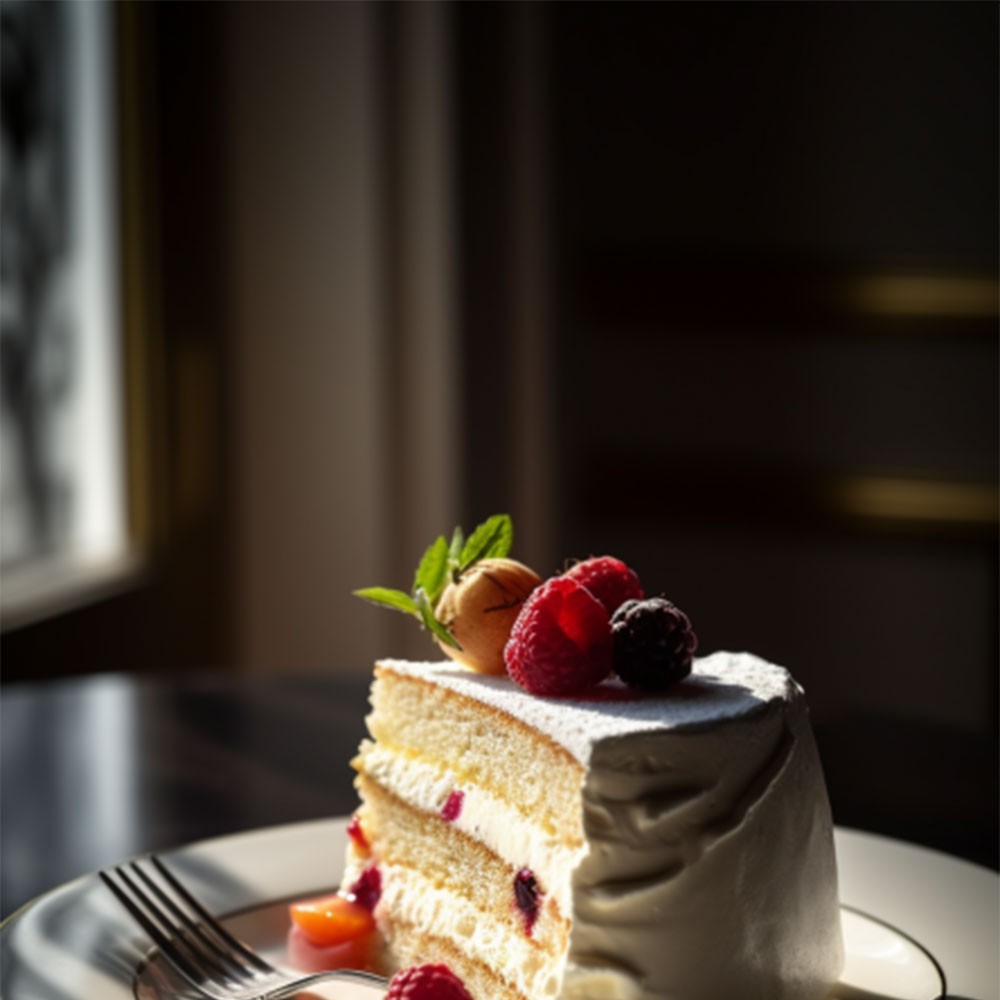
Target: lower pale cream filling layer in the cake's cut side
(415,900)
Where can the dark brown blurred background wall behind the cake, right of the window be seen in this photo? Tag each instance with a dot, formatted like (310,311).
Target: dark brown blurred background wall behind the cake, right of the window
(711,287)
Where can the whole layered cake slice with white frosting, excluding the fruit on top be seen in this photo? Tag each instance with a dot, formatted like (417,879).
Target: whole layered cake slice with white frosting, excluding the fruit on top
(609,846)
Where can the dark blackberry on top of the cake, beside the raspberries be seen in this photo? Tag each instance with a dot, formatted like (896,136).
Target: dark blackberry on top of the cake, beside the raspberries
(653,643)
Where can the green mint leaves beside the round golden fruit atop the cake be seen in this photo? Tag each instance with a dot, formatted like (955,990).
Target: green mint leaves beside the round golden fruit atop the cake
(442,563)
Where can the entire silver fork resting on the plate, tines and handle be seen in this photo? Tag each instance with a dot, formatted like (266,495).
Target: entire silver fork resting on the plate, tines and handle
(198,946)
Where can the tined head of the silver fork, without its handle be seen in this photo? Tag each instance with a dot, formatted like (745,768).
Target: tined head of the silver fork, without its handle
(188,936)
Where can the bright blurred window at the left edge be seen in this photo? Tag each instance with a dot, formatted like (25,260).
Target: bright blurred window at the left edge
(63,512)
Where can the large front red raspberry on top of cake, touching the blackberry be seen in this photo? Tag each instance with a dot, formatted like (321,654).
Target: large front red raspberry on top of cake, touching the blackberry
(561,640)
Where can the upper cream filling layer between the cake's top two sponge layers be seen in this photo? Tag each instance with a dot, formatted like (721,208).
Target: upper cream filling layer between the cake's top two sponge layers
(483,816)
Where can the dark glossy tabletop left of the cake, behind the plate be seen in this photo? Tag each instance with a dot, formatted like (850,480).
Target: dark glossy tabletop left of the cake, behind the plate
(100,768)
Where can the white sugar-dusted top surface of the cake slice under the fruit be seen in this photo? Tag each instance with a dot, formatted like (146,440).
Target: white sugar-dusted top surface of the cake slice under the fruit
(721,686)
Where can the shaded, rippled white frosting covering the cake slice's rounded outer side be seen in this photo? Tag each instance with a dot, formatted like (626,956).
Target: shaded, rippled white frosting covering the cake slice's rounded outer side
(711,870)
